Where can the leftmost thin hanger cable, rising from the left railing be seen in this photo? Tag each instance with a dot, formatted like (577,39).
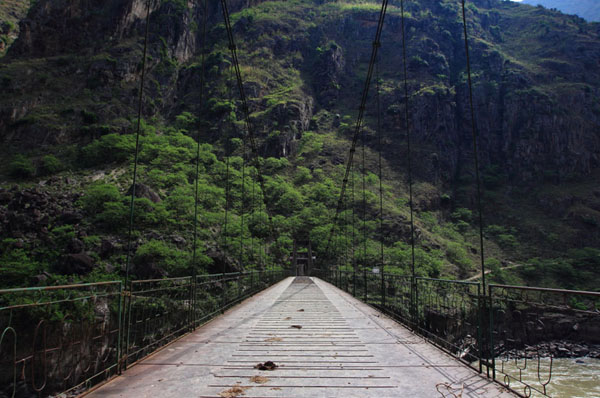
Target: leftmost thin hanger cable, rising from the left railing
(137,147)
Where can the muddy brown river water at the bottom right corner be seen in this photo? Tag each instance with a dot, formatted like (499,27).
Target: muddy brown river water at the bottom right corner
(571,377)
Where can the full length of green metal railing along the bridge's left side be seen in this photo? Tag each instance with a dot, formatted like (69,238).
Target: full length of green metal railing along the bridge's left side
(65,339)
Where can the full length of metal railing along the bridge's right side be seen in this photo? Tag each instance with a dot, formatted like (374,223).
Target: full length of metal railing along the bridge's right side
(514,333)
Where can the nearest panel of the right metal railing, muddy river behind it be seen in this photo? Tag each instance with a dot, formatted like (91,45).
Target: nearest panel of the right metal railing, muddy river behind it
(530,327)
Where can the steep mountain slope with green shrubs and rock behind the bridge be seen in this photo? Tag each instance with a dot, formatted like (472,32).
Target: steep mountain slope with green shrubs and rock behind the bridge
(71,88)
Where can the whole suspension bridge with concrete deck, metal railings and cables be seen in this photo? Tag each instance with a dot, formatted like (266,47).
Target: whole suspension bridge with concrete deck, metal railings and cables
(269,333)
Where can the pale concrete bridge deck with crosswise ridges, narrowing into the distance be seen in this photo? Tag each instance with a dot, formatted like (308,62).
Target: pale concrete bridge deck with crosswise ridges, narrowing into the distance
(324,342)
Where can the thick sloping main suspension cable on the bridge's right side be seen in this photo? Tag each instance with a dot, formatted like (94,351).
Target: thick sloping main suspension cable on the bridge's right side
(359,118)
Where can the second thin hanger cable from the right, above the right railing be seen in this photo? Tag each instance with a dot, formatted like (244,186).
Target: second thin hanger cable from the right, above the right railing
(409,154)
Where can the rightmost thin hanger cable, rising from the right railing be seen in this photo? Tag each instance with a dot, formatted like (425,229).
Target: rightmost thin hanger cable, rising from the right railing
(475,145)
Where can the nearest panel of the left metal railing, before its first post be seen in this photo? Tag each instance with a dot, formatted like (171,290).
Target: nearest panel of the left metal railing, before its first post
(59,338)
